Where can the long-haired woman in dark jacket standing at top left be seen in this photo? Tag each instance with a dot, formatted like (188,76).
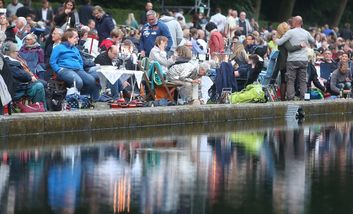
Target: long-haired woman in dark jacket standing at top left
(67,16)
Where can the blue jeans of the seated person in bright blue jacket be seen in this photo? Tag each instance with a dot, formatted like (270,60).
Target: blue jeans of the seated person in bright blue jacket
(85,82)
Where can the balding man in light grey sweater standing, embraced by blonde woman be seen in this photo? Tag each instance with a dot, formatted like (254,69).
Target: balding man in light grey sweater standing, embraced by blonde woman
(297,61)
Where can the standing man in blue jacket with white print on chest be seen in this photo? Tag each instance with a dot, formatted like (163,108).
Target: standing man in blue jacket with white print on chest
(150,31)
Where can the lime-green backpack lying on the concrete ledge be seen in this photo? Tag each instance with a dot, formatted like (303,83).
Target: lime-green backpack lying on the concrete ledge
(253,93)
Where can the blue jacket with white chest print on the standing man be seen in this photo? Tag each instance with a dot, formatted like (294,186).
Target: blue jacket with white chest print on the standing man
(149,34)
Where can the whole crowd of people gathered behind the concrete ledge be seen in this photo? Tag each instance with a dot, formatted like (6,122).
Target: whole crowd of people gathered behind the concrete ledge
(69,44)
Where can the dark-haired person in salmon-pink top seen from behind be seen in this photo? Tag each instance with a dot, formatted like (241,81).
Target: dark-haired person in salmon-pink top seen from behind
(215,43)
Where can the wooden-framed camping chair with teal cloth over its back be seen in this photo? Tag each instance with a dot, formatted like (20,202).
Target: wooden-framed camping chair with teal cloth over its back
(162,88)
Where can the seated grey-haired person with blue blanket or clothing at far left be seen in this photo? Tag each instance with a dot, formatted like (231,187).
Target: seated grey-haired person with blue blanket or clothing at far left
(33,54)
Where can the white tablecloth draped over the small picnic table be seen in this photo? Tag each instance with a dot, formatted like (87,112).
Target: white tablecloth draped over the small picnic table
(112,74)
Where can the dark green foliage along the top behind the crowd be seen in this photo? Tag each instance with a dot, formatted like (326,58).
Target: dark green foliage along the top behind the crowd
(314,12)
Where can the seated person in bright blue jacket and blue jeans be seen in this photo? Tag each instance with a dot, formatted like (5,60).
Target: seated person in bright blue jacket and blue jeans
(67,63)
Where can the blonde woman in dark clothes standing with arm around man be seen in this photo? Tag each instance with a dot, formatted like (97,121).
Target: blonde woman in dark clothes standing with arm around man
(282,57)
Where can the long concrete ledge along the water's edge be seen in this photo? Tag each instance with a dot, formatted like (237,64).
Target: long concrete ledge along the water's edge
(86,120)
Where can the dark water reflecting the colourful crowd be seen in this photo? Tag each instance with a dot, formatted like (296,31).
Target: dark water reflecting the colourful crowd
(230,168)
